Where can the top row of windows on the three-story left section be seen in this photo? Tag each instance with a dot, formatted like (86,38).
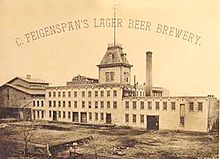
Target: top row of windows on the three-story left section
(83,94)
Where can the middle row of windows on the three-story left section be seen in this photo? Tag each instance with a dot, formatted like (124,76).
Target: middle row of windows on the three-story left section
(97,104)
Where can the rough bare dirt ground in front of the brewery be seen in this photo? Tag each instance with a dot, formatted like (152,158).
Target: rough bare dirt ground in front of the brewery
(119,142)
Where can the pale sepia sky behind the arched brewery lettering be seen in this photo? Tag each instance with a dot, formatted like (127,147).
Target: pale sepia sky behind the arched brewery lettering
(181,66)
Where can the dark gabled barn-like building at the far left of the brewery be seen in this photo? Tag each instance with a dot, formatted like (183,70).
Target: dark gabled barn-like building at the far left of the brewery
(16,96)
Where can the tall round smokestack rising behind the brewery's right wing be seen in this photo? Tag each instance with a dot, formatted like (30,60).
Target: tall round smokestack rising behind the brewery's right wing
(148,85)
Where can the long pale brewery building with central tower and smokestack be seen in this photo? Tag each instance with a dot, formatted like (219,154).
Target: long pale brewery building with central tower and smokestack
(112,99)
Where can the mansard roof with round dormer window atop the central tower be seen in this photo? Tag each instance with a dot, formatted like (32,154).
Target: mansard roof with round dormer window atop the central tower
(114,56)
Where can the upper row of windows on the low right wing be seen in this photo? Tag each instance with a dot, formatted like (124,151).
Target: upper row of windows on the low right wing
(164,105)
